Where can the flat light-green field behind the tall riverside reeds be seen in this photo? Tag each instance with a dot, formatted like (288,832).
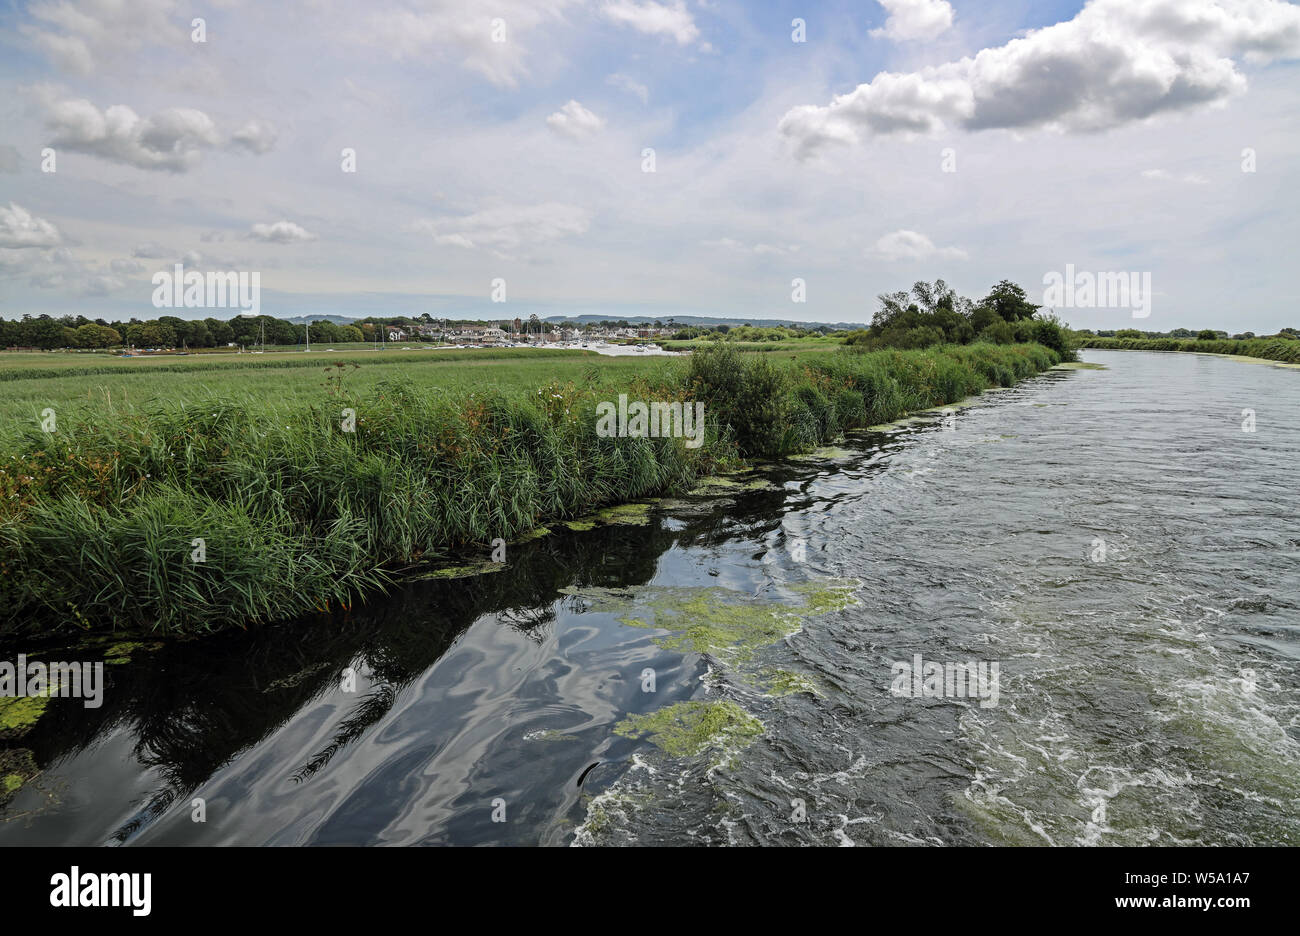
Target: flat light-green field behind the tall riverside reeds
(32,382)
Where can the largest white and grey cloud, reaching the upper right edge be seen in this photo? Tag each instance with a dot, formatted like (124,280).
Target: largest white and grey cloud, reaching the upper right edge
(1117,62)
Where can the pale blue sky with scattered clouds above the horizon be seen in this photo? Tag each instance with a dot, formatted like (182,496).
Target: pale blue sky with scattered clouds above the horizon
(903,140)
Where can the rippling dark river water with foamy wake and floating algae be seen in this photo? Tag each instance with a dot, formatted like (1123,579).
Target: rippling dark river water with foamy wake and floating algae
(1113,540)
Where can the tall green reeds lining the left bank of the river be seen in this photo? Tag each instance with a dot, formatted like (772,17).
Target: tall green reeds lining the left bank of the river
(192,515)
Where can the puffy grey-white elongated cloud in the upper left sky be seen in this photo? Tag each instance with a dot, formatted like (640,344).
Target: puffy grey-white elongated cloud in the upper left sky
(171,140)
